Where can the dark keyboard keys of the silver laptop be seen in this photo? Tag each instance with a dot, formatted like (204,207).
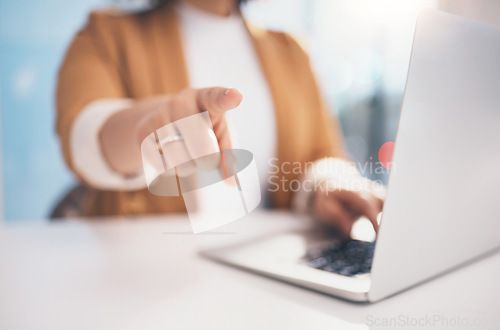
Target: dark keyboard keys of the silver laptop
(349,258)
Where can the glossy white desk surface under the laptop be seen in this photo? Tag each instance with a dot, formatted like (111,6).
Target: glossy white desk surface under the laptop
(146,274)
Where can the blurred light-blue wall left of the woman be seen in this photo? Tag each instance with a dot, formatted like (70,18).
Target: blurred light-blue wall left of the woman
(33,37)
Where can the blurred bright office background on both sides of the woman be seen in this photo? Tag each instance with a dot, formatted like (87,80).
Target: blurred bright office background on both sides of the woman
(359,48)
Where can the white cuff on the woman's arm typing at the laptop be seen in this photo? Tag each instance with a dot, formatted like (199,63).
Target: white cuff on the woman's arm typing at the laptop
(331,174)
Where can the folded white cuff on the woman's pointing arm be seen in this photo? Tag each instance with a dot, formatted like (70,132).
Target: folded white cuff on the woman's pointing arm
(85,148)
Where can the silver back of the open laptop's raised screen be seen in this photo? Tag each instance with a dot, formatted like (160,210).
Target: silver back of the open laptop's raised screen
(443,203)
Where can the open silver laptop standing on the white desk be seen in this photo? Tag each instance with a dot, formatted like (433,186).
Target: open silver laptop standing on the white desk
(442,209)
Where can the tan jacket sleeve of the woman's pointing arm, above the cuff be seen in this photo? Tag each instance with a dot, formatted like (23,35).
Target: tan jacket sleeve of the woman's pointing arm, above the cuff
(89,72)
